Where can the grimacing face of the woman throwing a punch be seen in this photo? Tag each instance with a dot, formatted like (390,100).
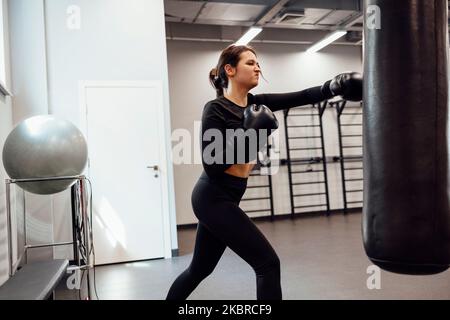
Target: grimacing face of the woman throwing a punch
(247,71)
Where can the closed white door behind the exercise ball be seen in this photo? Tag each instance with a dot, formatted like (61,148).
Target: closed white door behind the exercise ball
(123,141)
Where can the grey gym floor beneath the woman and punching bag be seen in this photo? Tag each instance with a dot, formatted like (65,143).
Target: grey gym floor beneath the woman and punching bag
(321,258)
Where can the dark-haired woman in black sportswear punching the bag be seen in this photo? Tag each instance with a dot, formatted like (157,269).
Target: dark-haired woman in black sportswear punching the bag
(216,196)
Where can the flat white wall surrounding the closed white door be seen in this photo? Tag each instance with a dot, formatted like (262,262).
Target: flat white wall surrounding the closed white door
(117,40)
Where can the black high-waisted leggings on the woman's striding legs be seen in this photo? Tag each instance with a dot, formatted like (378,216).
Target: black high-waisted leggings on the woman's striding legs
(223,224)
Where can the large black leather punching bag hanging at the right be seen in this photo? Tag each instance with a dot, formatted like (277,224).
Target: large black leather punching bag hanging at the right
(406,217)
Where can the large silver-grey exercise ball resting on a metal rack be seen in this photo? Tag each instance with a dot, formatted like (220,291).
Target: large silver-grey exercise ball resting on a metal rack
(44,147)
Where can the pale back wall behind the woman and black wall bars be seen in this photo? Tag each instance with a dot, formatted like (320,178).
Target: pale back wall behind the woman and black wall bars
(286,68)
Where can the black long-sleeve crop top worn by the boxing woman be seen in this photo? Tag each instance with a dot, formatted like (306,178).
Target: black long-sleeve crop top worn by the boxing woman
(221,114)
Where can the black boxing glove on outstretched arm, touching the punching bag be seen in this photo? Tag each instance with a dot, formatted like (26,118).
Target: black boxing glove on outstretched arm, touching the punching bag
(347,85)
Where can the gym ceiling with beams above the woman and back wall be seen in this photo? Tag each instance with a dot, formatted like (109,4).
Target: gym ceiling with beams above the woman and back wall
(284,21)
